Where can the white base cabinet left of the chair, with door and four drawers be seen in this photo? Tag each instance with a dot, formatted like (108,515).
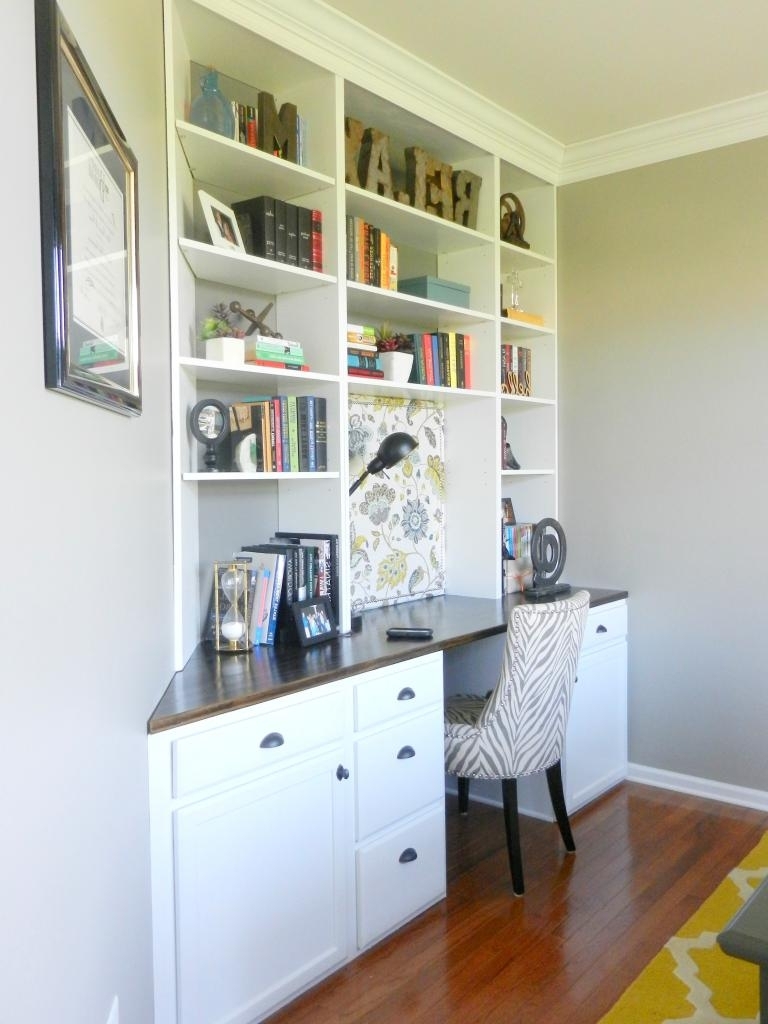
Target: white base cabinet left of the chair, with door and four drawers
(288,836)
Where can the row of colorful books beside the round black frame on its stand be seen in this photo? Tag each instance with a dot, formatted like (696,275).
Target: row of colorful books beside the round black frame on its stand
(281,435)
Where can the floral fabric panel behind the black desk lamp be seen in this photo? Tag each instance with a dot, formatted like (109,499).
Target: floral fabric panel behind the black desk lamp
(398,519)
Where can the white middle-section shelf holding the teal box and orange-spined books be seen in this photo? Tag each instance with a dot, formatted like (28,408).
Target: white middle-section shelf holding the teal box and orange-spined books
(365,303)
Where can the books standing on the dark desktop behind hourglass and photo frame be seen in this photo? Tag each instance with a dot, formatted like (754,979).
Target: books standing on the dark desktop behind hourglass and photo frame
(291,568)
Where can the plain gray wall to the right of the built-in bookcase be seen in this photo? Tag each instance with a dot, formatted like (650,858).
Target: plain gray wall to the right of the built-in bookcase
(664,421)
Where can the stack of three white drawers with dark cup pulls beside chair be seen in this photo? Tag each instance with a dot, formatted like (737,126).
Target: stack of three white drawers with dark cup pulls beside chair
(400,795)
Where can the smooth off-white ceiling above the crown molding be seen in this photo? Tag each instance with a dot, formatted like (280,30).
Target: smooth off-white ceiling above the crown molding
(579,70)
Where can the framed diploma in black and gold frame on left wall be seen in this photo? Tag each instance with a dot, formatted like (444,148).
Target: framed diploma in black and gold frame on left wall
(89,229)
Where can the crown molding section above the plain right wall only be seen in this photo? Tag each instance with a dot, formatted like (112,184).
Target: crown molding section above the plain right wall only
(710,129)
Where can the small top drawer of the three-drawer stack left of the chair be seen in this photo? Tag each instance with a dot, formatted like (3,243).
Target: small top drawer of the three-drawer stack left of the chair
(402,690)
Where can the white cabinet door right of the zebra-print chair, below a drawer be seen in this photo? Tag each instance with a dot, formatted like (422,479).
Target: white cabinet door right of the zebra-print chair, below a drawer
(596,739)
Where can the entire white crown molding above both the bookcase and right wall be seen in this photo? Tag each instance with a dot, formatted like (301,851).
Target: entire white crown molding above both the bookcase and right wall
(347,49)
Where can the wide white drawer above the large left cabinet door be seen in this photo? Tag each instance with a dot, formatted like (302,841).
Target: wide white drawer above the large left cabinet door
(255,744)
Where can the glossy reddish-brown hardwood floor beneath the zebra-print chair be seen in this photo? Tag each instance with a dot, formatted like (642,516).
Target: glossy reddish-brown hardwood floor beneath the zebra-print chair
(566,951)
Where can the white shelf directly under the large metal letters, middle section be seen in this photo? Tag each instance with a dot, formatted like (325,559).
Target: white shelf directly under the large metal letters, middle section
(408,227)
